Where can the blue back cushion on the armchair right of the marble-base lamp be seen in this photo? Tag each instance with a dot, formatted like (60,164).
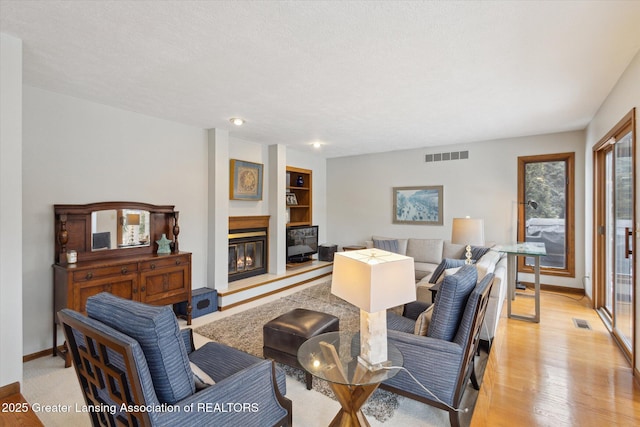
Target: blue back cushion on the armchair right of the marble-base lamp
(450,303)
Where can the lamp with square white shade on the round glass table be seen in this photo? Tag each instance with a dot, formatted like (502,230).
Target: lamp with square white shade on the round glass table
(373,280)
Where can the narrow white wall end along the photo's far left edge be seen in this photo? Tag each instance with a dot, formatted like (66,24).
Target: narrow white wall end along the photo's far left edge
(10,210)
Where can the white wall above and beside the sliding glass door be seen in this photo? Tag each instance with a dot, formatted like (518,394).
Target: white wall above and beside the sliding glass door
(624,96)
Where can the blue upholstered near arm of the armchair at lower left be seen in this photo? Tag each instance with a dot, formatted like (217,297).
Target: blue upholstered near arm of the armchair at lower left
(245,398)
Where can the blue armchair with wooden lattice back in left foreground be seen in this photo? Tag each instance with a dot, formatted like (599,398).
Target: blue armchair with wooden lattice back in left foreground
(136,368)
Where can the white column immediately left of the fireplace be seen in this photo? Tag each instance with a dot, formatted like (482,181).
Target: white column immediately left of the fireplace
(218,210)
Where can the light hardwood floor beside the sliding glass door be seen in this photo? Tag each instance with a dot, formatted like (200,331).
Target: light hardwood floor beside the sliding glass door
(555,374)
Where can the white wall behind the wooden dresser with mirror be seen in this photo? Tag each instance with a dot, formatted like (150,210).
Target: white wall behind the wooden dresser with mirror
(76,151)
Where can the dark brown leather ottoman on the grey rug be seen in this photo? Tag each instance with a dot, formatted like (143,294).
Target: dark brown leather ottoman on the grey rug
(283,335)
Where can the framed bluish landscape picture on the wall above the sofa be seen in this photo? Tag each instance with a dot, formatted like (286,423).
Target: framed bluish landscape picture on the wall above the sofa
(418,205)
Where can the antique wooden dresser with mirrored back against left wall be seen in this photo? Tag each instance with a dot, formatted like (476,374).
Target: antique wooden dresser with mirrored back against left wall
(116,251)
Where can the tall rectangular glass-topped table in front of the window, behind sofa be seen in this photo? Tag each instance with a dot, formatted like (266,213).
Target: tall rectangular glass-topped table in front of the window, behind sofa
(532,249)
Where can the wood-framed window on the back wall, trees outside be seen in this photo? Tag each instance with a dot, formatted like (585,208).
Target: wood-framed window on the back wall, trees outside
(546,211)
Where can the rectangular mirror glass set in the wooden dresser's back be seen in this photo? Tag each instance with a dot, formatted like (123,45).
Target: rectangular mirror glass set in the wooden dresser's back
(119,229)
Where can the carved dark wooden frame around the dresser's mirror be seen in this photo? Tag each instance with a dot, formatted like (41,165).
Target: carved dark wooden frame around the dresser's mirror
(73,230)
